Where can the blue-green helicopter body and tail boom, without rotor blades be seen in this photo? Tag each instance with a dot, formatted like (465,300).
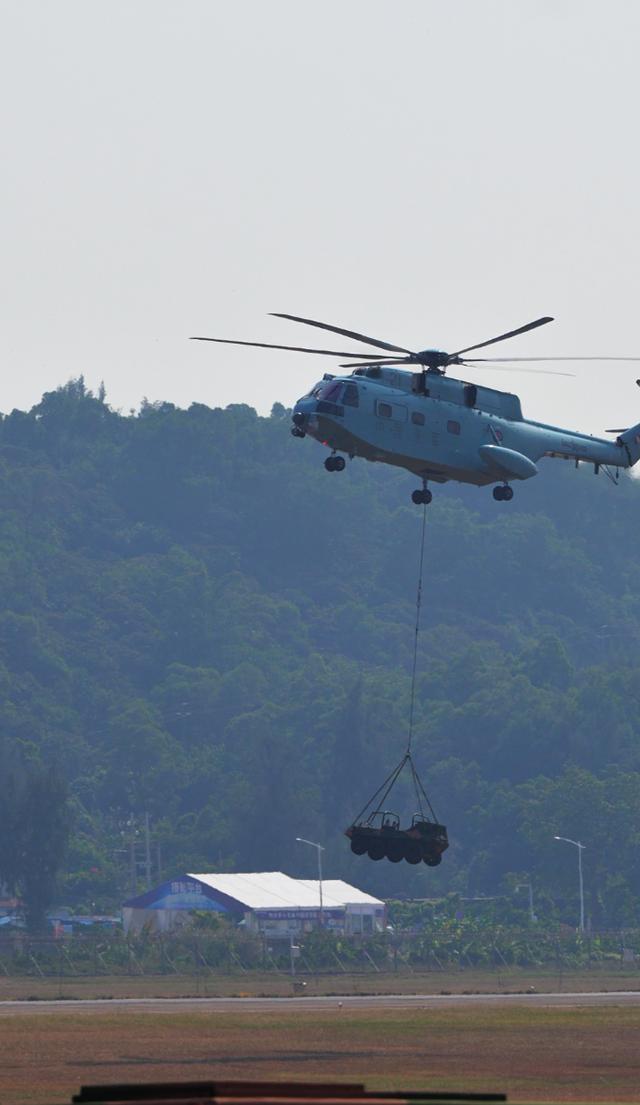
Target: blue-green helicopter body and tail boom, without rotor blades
(444,429)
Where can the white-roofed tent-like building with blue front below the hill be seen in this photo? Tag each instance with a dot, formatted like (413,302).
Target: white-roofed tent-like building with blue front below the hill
(268,902)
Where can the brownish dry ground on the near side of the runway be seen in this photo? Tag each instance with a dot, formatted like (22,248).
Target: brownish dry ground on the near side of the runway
(545,1055)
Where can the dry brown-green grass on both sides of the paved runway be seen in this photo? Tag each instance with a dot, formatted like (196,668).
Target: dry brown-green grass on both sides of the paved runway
(534,1055)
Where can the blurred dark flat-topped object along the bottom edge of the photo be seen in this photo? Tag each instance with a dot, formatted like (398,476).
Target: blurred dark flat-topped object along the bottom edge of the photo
(263,1093)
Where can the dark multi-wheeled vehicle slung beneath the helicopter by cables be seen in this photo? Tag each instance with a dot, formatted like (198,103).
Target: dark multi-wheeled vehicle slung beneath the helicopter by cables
(381,837)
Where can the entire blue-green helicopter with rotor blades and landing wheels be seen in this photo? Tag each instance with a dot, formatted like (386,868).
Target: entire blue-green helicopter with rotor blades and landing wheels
(437,427)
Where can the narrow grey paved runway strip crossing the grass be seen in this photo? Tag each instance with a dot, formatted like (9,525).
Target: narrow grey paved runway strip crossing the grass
(316,1004)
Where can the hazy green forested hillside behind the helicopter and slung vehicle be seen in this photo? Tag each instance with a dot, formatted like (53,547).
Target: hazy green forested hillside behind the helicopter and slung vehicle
(198,622)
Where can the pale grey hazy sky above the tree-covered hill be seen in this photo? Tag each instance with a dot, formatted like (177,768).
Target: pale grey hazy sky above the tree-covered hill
(431,173)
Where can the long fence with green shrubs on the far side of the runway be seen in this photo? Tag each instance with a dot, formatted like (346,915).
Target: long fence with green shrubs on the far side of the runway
(194,953)
